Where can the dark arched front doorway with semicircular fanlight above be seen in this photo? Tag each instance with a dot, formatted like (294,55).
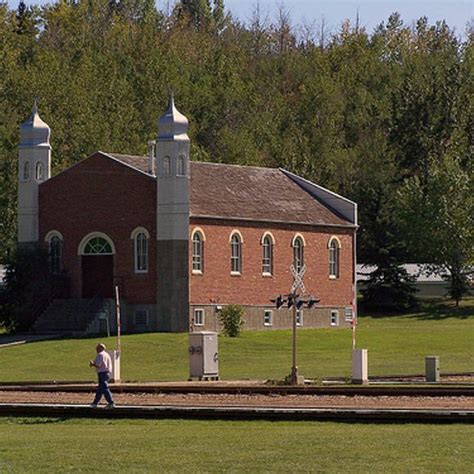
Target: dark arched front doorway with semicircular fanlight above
(97,260)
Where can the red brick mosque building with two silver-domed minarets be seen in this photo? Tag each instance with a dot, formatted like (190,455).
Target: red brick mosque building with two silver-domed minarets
(182,239)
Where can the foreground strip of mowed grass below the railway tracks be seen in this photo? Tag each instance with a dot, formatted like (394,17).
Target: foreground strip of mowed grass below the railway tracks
(42,445)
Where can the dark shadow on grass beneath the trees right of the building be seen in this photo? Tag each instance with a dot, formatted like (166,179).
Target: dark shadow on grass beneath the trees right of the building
(431,310)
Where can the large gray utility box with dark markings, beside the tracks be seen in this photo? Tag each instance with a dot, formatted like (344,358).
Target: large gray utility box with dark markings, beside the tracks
(203,355)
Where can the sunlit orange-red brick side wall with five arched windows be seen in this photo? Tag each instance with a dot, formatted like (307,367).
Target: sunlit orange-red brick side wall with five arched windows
(251,288)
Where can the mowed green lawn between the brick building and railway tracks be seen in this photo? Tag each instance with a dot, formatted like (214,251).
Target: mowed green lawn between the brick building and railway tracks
(396,345)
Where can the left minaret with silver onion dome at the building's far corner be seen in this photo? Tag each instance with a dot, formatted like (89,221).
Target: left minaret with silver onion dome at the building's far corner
(34,167)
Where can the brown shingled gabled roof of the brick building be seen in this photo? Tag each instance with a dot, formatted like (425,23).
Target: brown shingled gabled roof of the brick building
(223,191)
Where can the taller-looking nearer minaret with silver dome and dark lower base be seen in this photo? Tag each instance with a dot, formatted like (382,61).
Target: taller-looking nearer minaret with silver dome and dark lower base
(172,231)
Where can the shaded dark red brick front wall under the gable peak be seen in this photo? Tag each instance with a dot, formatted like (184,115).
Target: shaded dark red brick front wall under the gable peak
(100,194)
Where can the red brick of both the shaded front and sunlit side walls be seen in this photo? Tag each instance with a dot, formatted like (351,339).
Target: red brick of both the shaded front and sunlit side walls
(100,194)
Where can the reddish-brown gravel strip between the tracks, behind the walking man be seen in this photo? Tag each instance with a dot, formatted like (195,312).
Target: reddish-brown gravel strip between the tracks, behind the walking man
(203,400)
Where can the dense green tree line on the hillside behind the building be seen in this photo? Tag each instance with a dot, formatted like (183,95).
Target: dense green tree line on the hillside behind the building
(383,117)
